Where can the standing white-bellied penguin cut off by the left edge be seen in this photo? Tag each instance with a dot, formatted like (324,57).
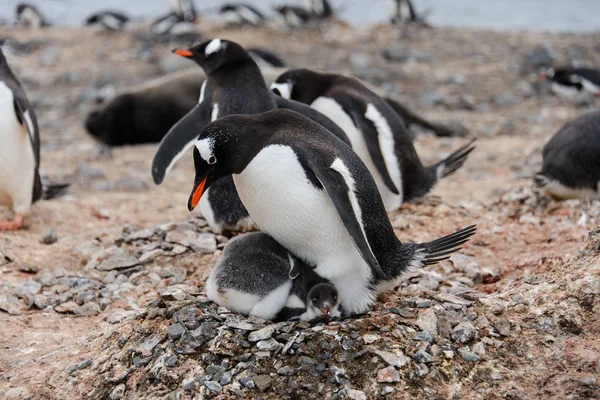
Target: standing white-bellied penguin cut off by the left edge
(20,183)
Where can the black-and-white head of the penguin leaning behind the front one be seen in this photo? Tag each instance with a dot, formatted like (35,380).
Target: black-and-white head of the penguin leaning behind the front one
(302,85)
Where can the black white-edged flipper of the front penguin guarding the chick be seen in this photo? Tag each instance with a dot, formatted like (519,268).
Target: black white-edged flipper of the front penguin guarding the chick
(339,186)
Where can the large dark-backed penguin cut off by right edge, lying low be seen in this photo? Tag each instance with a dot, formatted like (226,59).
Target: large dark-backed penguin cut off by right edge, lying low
(571,166)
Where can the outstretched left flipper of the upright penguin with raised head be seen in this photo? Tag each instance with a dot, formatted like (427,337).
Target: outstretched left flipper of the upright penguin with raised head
(180,138)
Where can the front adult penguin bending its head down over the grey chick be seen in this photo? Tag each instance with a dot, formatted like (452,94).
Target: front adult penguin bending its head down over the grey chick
(311,193)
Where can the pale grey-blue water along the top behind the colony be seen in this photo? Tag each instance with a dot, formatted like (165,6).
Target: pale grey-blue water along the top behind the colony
(534,15)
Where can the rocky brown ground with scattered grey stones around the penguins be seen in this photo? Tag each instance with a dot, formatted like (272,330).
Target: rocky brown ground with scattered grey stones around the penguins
(102,297)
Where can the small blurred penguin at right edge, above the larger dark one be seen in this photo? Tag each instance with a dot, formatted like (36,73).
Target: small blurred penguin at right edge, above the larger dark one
(573,82)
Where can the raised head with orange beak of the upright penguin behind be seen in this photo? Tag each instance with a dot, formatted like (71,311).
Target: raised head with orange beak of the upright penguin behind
(215,54)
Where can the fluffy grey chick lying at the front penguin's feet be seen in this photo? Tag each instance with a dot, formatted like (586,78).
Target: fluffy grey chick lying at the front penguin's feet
(252,278)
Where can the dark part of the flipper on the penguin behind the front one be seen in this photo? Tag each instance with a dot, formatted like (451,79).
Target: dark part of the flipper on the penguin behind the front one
(369,131)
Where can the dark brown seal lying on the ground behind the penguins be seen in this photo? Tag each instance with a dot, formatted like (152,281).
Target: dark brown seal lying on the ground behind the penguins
(145,113)
